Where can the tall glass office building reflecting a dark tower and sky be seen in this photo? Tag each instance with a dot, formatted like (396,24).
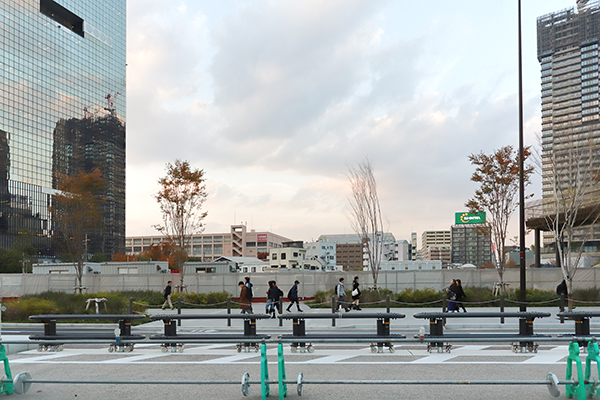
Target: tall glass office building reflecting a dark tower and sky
(62,112)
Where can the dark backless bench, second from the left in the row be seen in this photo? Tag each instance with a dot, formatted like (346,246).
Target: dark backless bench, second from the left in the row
(171,339)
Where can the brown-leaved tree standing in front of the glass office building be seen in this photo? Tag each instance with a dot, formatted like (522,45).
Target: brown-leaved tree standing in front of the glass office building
(77,213)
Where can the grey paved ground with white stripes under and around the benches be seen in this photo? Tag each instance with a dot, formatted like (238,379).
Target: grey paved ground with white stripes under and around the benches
(352,361)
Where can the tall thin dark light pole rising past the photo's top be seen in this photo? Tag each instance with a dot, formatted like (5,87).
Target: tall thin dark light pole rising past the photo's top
(523,286)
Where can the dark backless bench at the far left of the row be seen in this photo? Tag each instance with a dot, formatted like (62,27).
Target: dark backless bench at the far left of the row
(52,338)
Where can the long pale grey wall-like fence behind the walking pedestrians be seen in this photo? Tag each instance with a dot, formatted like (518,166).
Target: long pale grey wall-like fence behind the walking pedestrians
(16,285)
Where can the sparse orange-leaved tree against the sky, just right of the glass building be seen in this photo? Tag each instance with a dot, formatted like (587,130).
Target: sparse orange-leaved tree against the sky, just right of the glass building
(181,197)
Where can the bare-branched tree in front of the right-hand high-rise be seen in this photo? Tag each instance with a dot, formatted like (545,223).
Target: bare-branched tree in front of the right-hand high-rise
(573,206)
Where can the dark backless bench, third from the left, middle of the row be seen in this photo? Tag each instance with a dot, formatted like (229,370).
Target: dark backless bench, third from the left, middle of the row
(299,338)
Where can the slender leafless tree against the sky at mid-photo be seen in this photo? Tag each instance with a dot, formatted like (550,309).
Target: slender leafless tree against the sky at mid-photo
(365,214)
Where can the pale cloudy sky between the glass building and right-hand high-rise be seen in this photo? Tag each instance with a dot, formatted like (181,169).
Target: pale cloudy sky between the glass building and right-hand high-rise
(276,100)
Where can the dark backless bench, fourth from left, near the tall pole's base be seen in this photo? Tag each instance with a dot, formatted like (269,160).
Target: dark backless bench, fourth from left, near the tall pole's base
(525,336)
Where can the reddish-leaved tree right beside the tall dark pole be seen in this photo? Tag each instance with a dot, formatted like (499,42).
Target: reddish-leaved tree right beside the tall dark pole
(498,176)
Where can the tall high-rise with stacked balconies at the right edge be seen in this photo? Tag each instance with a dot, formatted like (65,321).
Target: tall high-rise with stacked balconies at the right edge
(567,49)
